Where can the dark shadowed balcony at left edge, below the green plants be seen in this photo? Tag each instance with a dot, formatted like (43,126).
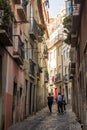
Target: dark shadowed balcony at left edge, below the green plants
(6,35)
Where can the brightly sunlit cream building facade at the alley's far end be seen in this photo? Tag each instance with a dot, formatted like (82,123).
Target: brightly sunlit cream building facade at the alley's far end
(55,67)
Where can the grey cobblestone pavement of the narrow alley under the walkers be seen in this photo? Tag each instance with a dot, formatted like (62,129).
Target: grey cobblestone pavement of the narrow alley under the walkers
(43,120)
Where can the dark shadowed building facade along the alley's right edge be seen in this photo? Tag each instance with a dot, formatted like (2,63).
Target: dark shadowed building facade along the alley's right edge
(78,68)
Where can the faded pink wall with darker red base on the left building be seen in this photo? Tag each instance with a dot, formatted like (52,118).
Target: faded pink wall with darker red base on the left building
(14,71)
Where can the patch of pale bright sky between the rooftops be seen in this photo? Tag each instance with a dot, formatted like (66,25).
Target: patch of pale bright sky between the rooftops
(55,6)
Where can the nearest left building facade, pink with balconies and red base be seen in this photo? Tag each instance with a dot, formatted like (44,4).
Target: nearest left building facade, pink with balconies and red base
(12,74)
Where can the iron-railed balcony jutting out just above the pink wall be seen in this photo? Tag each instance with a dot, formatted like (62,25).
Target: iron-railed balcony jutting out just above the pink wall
(18,53)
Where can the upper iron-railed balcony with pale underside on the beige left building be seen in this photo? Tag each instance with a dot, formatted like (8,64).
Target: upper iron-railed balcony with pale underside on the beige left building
(33,28)
